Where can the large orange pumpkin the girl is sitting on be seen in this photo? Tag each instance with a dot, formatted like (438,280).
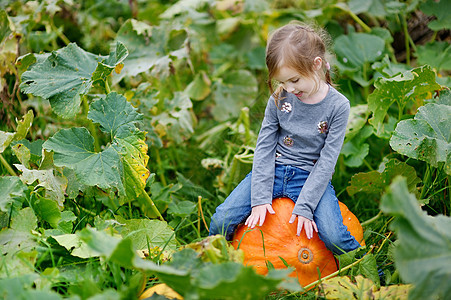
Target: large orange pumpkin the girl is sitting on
(279,240)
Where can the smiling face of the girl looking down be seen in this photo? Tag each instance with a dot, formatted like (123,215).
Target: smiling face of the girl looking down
(305,88)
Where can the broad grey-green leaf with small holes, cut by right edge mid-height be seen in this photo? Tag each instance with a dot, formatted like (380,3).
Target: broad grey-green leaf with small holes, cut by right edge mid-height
(427,137)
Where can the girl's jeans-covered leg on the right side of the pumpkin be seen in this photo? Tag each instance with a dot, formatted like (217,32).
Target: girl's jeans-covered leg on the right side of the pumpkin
(329,221)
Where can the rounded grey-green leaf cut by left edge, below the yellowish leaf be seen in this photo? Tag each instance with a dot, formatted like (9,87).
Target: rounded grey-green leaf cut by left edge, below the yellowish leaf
(11,189)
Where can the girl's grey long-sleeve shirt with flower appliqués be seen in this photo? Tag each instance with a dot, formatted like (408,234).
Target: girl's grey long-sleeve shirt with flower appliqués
(308,136)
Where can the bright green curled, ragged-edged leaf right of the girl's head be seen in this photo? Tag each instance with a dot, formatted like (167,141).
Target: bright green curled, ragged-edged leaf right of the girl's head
(402,89)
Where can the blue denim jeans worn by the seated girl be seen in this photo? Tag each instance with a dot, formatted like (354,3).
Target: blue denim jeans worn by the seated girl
(288,182)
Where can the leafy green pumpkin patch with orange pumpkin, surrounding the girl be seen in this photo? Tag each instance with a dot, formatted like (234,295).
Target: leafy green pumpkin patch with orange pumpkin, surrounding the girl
(124,124)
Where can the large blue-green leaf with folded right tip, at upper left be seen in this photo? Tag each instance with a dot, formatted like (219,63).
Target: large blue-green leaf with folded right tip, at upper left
(67,74)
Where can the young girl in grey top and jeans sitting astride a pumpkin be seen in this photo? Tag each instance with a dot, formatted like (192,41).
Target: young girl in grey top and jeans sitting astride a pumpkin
(298,145)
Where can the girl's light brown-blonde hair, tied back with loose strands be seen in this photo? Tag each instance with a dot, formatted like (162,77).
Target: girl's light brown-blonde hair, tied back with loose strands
(296,45)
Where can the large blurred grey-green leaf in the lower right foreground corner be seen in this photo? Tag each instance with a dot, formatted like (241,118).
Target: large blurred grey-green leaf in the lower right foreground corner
(423,254)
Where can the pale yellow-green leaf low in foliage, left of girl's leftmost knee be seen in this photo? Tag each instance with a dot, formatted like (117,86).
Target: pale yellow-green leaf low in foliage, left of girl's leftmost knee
(146,233)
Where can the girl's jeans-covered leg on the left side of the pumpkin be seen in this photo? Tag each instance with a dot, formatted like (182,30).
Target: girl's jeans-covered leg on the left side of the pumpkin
(233,211)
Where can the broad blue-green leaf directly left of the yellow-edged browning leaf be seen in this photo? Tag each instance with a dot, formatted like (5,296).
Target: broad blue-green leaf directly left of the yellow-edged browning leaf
(74,148)
